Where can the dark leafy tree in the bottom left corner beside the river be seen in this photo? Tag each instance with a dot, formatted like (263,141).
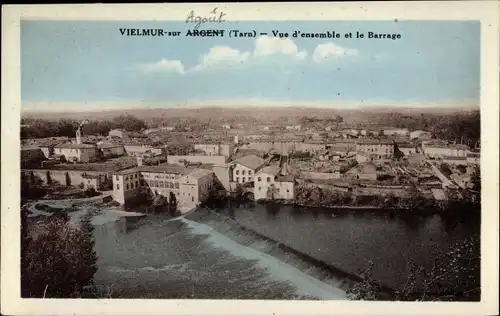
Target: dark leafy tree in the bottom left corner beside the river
(57,258)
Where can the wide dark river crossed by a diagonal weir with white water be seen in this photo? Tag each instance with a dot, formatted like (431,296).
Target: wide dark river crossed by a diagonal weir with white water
(210,254)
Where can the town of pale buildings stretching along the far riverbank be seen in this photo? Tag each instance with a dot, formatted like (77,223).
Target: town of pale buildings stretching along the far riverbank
(284,164)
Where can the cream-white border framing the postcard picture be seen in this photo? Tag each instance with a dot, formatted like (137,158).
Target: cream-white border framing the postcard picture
(485,11)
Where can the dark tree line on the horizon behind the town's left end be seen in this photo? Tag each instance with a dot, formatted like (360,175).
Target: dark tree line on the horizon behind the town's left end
(43,128)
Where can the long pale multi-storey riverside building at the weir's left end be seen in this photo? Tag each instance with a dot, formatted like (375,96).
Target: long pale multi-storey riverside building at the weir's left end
(185,186)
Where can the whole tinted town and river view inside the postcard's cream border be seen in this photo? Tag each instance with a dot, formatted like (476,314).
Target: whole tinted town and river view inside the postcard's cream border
(135,185)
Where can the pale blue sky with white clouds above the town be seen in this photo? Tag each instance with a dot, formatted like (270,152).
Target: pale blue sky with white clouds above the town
(90,63)
